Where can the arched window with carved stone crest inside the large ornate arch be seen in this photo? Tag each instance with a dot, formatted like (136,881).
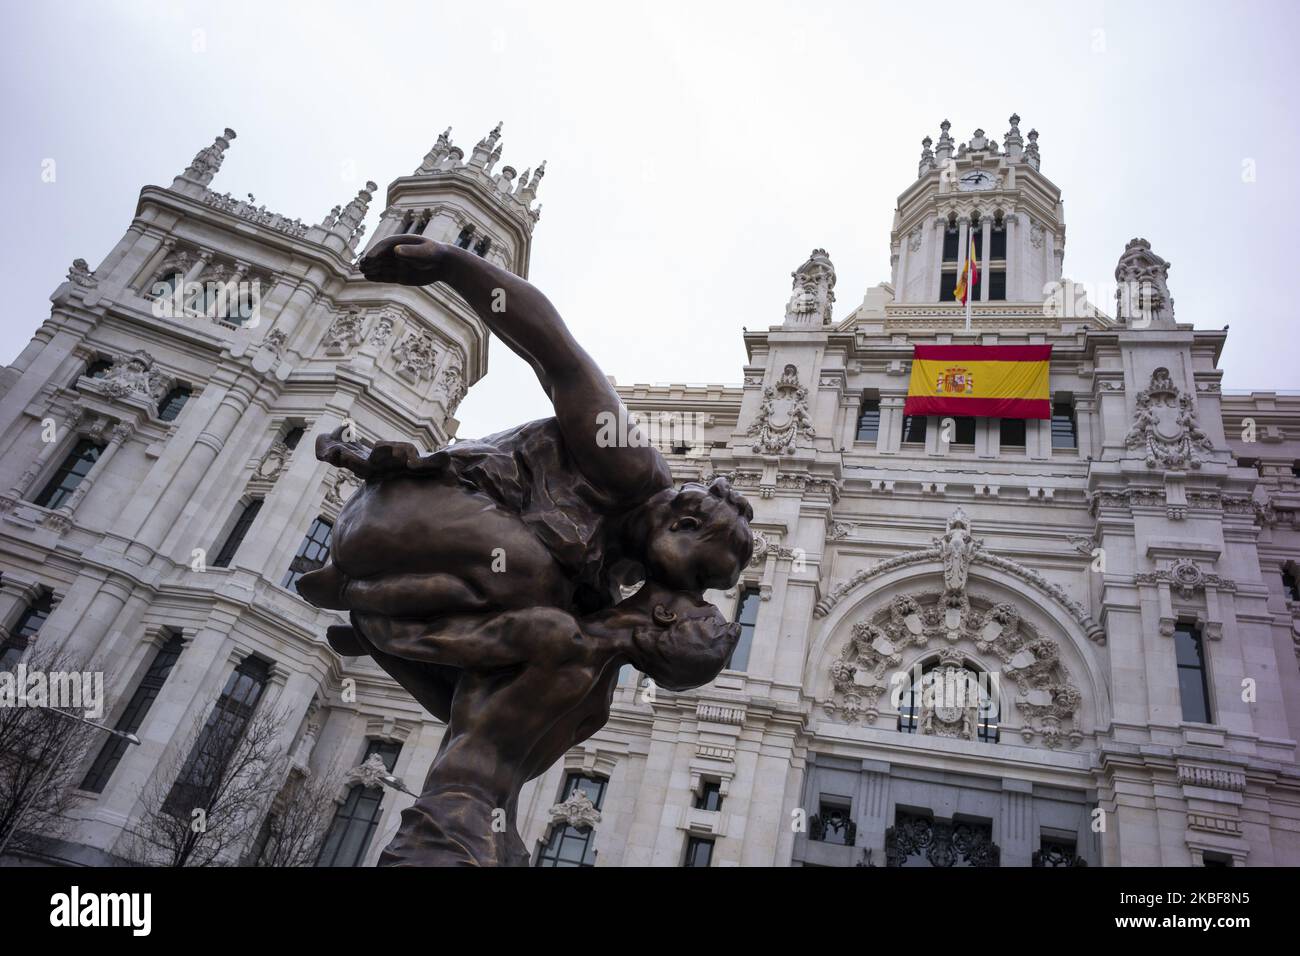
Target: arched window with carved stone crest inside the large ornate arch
(951,700)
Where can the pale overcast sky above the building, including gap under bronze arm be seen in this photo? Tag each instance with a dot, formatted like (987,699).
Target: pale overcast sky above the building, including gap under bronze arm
(697,152)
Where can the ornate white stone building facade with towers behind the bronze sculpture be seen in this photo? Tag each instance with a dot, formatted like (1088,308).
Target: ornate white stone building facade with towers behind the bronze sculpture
(965,642)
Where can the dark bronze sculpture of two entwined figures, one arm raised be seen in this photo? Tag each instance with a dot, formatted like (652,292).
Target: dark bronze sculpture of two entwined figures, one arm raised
(486,578)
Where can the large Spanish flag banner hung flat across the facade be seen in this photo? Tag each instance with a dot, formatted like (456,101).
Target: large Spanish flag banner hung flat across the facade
(999,382)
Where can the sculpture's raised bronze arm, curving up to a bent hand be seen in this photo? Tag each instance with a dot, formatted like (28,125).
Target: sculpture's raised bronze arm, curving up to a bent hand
(587,406)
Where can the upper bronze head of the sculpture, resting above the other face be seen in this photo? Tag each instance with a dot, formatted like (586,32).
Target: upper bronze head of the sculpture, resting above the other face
(694,538)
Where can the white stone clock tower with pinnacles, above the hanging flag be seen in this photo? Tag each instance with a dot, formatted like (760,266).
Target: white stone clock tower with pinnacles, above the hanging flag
(985,193)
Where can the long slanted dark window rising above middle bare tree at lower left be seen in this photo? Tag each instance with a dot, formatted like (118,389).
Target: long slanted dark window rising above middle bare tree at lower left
(219,742)
